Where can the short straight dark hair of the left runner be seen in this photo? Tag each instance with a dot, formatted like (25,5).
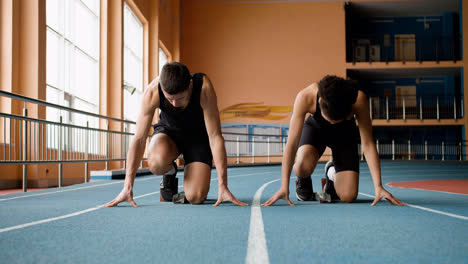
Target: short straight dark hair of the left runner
(175,77)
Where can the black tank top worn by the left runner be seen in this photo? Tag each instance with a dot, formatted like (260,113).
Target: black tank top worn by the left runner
(190,120)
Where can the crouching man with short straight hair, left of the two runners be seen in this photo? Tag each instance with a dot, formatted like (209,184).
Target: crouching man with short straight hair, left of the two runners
(189,124)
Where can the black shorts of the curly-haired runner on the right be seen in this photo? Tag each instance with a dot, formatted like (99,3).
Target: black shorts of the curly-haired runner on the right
(341,138)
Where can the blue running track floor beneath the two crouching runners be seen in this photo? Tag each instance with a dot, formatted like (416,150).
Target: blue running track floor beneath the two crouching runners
(67,225)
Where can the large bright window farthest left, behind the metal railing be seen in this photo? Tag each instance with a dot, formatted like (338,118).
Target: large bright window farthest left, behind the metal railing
(72,76)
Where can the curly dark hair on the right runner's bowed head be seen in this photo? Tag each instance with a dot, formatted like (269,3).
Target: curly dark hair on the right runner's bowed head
(338,96)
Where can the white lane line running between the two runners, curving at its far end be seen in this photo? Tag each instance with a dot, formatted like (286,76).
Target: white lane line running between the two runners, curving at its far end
(257,251)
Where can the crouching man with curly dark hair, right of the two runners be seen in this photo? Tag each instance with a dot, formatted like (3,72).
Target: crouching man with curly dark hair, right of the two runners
(335,105)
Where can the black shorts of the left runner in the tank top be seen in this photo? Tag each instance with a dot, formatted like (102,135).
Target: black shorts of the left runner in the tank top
(194,147)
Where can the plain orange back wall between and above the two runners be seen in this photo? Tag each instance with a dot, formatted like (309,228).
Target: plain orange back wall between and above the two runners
(262,52)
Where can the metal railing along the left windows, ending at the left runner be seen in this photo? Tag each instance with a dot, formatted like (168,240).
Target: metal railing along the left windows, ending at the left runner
(28,140)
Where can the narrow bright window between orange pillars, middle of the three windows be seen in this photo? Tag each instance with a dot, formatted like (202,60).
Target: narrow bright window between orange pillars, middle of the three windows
(133,64)
